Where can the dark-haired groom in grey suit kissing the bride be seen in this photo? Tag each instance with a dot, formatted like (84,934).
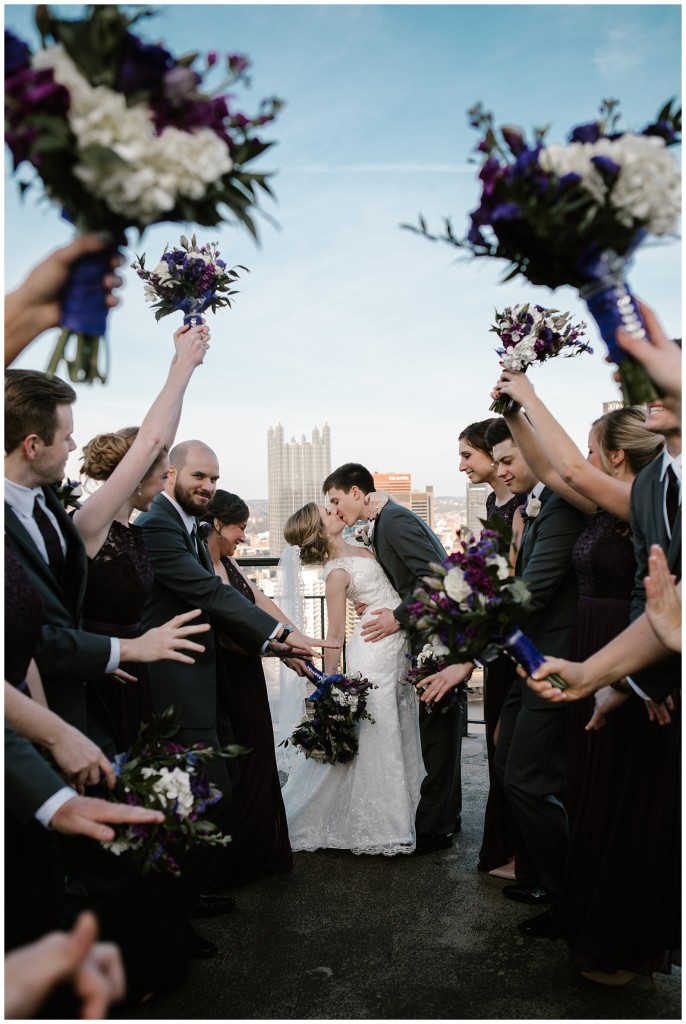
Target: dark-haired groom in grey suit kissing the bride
(405,546)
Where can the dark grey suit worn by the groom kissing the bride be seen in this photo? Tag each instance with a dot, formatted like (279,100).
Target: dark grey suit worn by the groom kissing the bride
(405,546)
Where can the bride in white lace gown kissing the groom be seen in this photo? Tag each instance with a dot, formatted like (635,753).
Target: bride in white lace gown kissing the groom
(368,805)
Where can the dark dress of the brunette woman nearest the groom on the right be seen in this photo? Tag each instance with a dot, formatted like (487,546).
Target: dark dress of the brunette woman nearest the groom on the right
(500,830)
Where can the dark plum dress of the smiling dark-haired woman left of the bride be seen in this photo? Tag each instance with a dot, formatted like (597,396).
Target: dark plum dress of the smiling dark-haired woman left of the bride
(261,839)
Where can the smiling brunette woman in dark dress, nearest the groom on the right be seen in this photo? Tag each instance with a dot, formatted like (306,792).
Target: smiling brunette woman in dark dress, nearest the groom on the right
(498,844)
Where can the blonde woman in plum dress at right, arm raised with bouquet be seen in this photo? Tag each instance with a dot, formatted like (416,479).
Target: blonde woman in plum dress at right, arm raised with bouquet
(616,923)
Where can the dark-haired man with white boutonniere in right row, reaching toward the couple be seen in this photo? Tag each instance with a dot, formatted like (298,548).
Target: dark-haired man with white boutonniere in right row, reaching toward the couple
(530,754)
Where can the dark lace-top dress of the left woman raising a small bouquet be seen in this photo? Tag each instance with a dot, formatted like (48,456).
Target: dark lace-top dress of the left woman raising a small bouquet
(120,579)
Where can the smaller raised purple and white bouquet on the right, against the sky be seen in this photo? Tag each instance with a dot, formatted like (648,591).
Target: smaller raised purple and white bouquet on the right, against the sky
(532,334)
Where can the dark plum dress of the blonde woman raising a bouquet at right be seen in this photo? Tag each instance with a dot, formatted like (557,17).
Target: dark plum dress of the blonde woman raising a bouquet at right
(621,906)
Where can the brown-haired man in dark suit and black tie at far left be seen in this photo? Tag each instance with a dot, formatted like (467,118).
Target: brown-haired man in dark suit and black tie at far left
(38,442)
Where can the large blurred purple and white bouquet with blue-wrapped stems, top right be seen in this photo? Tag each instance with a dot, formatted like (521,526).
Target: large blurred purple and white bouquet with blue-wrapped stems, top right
(575,215)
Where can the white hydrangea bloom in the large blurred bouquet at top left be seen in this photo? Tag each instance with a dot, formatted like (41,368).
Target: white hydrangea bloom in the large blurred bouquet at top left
(157,170)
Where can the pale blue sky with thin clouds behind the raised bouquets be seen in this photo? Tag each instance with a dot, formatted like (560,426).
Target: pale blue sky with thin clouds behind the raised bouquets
(346,319)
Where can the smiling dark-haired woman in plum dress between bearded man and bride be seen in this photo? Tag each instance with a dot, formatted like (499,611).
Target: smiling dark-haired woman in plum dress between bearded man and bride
(261,845)
